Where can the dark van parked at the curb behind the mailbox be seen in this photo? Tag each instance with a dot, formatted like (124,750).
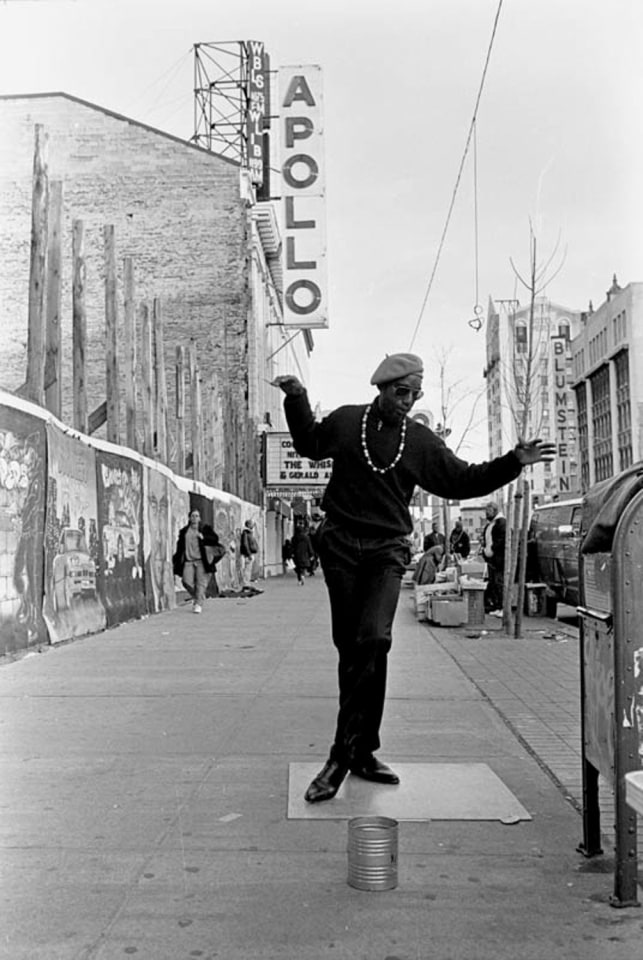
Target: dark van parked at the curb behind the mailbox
(554,539)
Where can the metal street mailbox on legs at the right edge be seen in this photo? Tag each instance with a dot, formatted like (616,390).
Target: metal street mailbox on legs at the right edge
(611,637)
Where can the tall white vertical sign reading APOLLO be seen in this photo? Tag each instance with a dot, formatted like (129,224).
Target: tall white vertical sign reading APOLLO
(304,196)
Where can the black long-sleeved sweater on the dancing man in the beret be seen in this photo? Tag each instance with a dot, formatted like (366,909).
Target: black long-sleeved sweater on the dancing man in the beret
(372,504)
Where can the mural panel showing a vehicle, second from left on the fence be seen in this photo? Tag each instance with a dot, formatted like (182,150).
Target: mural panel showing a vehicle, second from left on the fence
(71,604)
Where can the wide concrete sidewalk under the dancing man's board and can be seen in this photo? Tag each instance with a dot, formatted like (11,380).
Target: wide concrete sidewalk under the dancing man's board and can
(144,796)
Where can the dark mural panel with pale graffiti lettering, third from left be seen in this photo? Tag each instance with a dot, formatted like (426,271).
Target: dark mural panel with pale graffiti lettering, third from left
(120,529)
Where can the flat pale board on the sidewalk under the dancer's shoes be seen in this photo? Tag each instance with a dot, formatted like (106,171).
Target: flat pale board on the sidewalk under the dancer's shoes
(427,791)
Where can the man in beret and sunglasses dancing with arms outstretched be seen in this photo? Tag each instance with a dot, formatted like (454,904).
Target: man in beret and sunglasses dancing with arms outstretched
(380,455)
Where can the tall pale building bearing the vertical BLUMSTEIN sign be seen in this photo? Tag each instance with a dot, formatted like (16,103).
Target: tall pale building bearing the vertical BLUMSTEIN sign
(529,373)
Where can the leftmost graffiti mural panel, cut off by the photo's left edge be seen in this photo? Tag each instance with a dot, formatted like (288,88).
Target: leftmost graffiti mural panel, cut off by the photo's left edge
(22,508)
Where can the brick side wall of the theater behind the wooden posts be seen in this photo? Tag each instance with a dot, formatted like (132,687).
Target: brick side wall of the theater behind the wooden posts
(185,218)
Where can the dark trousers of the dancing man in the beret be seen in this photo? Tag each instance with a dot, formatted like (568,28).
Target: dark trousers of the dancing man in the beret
(363,578)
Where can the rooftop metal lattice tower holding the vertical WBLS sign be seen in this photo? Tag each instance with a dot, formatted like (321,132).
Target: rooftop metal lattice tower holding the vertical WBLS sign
(231,103)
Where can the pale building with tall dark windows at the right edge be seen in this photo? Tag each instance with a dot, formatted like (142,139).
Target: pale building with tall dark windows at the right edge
(608,384)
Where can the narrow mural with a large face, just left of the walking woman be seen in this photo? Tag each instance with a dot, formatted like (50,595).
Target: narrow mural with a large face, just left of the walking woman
(158,542)
